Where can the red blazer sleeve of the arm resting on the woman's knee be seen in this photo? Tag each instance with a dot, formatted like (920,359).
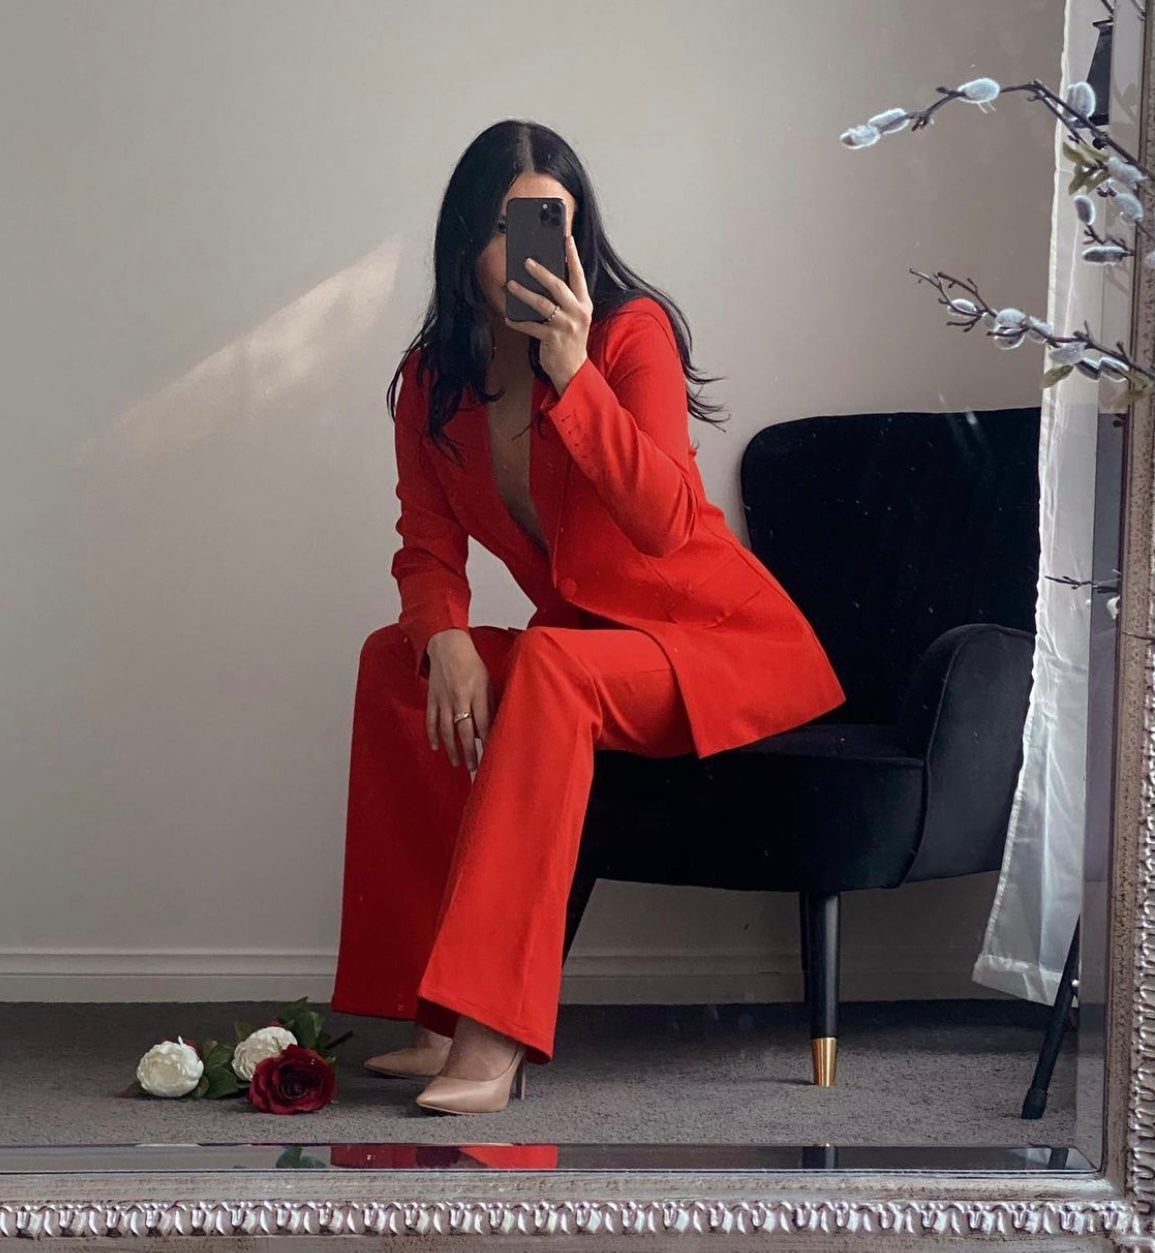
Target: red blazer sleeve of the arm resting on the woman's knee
(430,564)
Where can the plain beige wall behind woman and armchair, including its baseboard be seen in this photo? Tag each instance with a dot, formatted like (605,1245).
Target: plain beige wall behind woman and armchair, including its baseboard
(219,241)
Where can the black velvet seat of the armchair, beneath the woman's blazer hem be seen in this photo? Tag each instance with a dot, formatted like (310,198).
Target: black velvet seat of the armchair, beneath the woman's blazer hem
(822,809)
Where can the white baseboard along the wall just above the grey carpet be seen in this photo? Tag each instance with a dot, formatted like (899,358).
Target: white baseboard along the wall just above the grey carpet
(592,978)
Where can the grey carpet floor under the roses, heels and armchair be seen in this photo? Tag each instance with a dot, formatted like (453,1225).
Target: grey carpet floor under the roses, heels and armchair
(946,1073)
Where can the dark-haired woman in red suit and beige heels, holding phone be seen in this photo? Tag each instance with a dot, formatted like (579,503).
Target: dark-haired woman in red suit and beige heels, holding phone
(656,631)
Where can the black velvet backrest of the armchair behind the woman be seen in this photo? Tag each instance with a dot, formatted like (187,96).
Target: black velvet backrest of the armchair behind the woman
(889,529)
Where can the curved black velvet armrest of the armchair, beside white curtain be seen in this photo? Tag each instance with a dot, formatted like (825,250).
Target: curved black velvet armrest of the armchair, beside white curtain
(964,715)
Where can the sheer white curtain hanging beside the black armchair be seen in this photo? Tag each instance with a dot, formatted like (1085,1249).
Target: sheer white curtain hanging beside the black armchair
(1039,894)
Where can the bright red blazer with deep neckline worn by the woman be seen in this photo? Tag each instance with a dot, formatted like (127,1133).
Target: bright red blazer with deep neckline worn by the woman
(631,532)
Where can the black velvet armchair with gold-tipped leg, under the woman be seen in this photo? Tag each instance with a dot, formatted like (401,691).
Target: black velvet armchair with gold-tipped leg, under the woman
(911,544)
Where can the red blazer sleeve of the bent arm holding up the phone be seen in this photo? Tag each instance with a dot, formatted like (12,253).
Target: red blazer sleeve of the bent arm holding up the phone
(628,433)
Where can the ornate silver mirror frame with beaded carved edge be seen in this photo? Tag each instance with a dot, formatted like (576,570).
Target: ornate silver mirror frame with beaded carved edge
(720,1210)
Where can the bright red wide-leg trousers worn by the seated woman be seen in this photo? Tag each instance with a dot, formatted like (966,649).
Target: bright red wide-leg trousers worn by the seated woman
(457,890)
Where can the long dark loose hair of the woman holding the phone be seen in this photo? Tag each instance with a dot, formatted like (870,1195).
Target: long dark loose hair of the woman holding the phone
(455,340)
